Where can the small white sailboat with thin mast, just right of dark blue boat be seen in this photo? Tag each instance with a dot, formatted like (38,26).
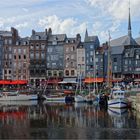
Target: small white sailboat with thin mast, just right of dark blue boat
(79,97)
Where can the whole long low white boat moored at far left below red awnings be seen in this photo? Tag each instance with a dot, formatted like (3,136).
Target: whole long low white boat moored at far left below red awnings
(16,96)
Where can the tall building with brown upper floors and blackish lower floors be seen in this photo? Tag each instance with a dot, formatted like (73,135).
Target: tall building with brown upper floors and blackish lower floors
(37,56)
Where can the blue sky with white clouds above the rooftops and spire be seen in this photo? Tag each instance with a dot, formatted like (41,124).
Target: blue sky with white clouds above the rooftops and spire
(71,17)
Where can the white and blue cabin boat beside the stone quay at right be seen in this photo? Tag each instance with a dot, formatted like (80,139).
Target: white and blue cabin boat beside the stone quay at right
(118,99)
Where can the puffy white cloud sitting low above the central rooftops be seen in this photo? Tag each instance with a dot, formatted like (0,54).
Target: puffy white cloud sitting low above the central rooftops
(70,26)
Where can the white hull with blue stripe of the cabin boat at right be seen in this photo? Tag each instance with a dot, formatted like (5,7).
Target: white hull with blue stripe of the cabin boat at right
(118,103)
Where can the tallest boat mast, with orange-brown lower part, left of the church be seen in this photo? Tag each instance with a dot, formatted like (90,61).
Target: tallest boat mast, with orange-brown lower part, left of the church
(109,70)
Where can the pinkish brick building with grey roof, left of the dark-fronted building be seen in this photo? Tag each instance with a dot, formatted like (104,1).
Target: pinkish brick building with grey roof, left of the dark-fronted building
(20,60)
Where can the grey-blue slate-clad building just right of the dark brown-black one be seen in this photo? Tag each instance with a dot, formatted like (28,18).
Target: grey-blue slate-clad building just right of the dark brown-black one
(55,55)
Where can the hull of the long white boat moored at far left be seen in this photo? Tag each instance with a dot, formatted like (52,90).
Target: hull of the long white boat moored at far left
(18,97)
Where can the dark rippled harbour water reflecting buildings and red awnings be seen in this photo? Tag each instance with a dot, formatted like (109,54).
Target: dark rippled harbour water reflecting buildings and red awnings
(60,120)
